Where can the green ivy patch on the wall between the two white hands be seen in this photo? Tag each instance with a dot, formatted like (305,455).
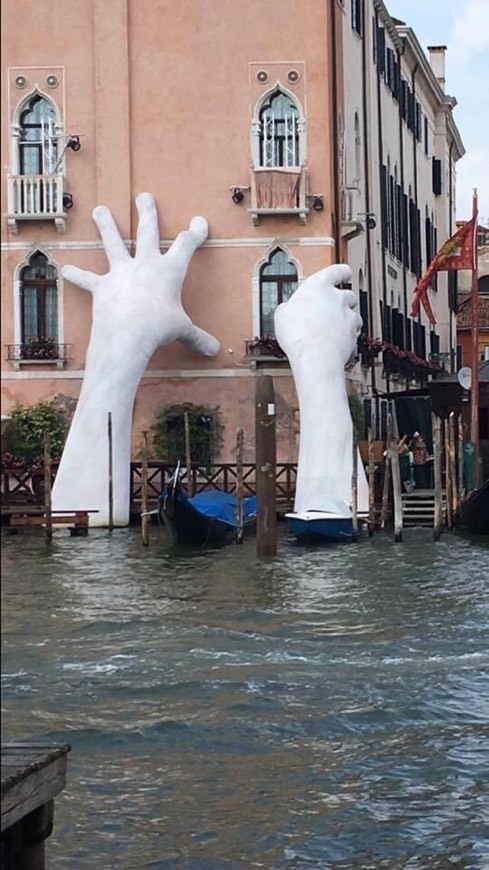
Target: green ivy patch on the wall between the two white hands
(205,433)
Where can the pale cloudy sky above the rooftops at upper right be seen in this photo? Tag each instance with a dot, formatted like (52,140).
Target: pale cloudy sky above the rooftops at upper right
(463,26)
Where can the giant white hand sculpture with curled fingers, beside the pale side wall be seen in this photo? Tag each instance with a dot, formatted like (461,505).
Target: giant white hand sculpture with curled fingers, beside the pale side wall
(318,329)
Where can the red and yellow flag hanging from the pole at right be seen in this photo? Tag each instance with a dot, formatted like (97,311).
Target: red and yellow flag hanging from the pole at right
(458,252)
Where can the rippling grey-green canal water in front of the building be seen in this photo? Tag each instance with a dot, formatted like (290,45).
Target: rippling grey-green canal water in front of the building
(327,708)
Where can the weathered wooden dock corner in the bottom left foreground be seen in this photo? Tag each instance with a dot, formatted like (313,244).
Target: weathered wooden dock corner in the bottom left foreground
(32,775)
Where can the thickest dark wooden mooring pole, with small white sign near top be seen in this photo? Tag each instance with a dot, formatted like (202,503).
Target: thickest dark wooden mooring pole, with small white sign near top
(266,527)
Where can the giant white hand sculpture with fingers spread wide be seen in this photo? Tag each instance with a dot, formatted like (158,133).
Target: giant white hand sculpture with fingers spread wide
(137,307)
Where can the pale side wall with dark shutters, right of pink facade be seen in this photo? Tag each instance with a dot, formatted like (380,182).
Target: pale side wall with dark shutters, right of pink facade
(398,147)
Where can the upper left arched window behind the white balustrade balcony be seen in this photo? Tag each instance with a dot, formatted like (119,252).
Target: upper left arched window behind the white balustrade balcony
(38,144)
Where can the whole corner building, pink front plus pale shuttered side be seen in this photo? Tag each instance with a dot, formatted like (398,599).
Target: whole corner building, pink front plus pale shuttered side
(306,134)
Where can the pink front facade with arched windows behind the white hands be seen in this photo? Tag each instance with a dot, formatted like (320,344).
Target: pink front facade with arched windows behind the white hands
(216,113)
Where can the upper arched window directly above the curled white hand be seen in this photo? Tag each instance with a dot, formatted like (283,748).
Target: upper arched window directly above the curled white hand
(279,132)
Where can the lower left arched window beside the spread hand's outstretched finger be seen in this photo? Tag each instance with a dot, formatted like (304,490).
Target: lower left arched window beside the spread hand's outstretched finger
(38,301)
